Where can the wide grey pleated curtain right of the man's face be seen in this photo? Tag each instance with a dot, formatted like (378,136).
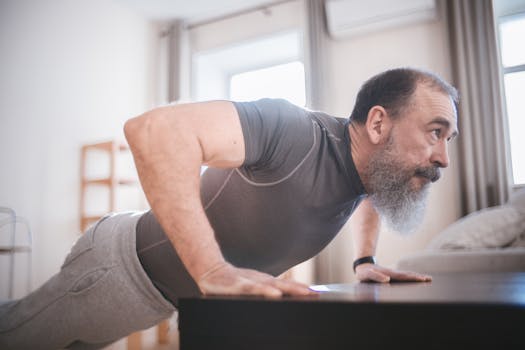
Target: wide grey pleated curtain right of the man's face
(476,74)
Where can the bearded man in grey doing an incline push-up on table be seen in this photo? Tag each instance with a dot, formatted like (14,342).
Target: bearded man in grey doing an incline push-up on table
(281,183)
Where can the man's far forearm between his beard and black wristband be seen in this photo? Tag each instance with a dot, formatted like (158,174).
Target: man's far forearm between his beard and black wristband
(364,225)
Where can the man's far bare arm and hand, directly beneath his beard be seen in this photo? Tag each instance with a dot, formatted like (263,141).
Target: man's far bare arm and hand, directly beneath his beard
(364,225)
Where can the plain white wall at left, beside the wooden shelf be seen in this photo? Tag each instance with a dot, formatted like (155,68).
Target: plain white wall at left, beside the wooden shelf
(71,73)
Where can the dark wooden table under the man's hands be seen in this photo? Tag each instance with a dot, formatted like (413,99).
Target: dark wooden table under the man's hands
(454,311)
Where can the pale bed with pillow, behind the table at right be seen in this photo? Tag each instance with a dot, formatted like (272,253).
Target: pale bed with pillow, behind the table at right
(488,240)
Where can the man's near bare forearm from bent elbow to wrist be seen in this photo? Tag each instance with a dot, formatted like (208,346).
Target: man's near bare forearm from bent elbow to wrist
(168,164)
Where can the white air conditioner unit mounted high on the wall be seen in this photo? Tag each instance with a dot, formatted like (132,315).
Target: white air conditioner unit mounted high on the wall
(356,17)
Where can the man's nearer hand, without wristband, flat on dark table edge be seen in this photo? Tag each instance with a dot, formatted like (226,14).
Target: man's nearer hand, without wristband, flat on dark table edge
(226,279)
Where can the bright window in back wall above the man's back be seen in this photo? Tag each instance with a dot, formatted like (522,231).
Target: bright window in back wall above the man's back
(268,66)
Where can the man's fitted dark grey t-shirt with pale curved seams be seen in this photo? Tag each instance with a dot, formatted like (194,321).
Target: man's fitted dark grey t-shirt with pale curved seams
(296,189)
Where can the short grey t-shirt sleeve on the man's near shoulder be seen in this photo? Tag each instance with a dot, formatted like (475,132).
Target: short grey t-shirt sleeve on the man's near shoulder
(277,134)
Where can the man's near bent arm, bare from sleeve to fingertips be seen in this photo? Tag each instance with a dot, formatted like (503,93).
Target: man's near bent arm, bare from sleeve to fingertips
(169,145)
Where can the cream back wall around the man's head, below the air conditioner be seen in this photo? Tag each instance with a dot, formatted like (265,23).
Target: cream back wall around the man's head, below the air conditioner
(350,62)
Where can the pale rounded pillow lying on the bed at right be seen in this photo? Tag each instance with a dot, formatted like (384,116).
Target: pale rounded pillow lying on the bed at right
(494,227)
